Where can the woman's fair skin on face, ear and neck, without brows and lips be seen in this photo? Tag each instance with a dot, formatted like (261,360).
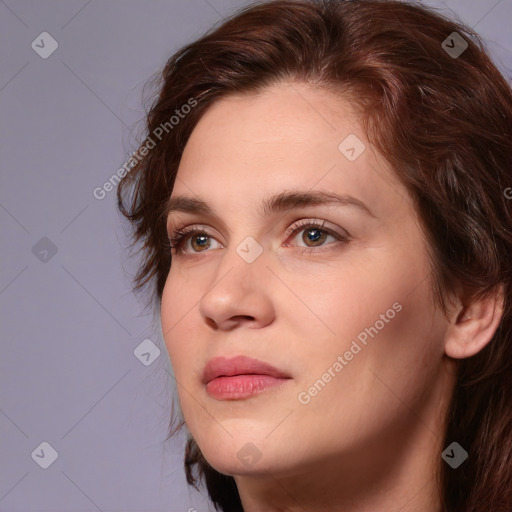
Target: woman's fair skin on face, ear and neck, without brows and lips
(371,438)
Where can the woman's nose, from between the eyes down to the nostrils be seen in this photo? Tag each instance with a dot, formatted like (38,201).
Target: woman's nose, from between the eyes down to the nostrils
(239,293)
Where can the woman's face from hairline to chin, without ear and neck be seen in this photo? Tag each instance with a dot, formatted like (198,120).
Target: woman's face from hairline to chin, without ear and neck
(333,295)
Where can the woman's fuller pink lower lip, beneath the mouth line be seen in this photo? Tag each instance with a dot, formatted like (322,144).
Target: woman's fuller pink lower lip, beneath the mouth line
(241,386)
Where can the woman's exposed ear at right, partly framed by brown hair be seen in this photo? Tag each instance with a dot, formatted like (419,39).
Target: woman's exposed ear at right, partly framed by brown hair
(473,325)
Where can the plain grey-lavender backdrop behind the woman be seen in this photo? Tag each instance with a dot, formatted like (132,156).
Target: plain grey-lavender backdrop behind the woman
(69,322)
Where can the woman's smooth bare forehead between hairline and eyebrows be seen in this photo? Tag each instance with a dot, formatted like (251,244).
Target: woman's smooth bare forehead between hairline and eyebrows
(286,136)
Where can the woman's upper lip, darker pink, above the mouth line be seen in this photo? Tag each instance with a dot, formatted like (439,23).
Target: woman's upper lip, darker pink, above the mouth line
(239,365)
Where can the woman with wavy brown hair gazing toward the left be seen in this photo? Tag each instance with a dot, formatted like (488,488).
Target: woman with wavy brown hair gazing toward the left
(335,295)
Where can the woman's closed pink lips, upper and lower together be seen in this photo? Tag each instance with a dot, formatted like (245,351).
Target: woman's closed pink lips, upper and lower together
(240,377)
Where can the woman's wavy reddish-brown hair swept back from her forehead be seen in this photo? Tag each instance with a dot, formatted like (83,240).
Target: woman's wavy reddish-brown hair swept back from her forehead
(443,122)
